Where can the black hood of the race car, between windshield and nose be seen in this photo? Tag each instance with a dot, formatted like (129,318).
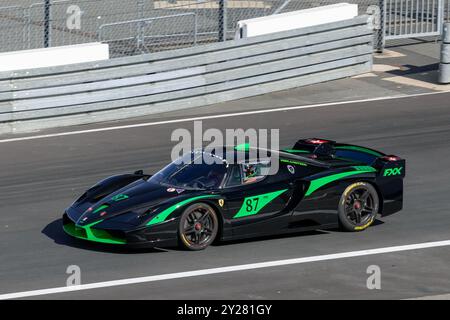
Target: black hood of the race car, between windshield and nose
(131,201)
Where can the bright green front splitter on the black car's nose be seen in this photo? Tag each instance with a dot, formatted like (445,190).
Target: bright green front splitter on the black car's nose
(95,235)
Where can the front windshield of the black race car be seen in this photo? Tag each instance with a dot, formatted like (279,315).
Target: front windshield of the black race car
(185,173)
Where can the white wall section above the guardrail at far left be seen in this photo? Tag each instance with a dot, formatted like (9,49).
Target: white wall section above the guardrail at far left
(56,56)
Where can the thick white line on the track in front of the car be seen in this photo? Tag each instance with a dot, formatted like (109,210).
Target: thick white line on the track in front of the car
(244,267)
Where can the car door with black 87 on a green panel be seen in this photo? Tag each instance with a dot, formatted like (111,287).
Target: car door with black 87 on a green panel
(256,201)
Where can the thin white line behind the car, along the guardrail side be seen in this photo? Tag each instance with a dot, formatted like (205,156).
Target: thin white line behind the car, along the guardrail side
(237,114)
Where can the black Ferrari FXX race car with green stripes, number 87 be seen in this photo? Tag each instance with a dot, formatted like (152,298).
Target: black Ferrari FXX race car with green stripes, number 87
(320,184)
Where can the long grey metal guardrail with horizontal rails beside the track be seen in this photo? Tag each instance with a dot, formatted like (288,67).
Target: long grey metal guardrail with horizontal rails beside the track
(170,80)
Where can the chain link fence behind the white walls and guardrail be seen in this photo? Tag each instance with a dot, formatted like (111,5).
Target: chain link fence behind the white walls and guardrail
(140,26)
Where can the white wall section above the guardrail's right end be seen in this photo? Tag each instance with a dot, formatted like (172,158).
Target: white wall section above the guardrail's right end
(296,19)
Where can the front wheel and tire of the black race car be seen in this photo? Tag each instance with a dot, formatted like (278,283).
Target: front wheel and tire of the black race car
(198,227)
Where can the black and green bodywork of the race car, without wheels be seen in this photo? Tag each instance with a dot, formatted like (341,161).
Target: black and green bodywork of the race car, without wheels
(139,210)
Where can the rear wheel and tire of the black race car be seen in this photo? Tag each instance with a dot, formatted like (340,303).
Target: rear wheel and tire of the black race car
(358,207)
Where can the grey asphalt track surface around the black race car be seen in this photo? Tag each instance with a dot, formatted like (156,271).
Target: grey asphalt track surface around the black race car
(39,178)
